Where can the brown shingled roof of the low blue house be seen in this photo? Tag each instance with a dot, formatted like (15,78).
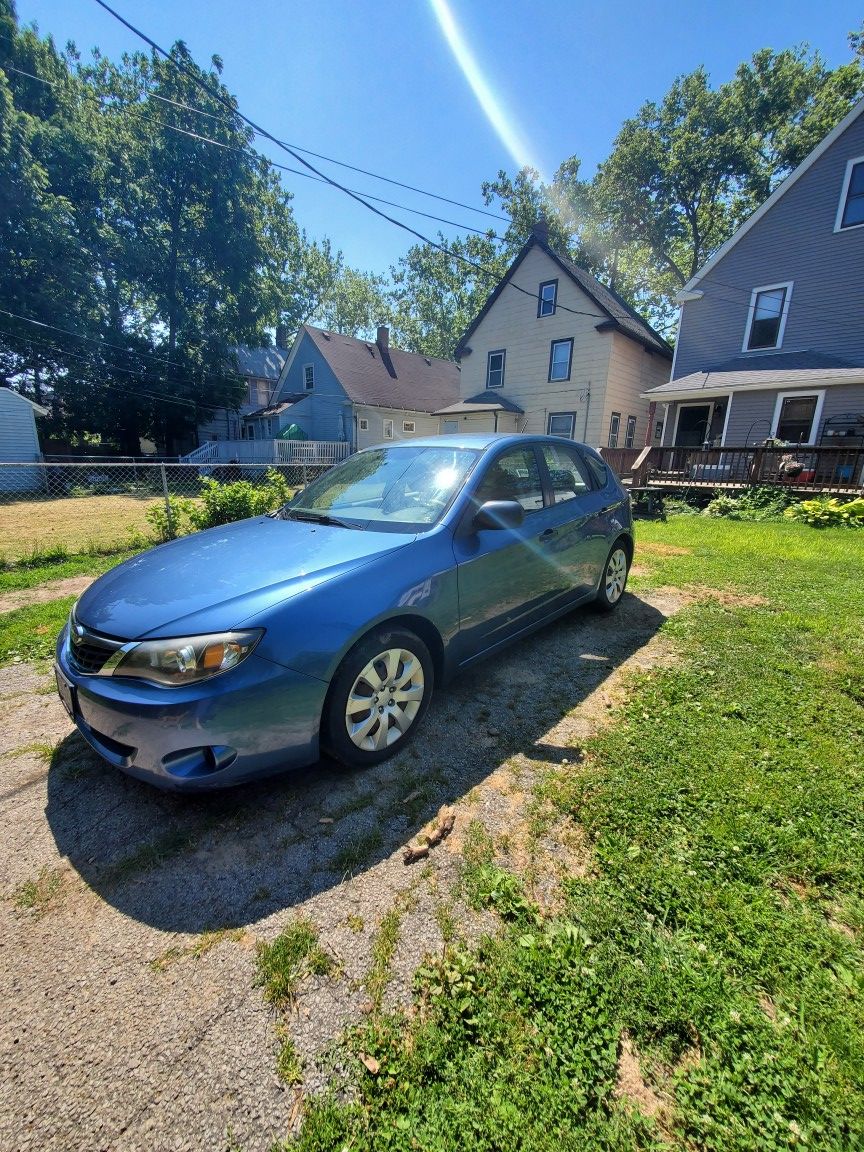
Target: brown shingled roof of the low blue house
(383,377)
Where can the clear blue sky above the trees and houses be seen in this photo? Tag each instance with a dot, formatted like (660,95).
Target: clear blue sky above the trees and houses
(378,86)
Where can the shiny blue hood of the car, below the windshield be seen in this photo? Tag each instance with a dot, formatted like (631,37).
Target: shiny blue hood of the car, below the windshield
(216,580)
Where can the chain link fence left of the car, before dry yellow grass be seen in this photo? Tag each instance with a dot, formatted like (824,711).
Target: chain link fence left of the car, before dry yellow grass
(72,509)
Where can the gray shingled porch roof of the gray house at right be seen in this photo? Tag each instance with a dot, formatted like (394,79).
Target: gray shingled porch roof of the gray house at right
(770,370)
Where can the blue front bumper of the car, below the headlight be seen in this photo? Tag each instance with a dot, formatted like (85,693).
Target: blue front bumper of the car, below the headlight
(257,719)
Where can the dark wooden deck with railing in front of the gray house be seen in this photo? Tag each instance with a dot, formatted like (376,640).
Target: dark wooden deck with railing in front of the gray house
(805,471)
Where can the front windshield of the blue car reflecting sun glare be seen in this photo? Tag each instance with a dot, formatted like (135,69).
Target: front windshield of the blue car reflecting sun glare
(404,489)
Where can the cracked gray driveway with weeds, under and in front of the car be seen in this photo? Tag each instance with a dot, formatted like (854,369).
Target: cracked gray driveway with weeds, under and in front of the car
(131,1019)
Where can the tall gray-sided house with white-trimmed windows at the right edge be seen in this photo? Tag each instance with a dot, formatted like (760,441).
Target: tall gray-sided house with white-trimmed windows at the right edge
(771,337)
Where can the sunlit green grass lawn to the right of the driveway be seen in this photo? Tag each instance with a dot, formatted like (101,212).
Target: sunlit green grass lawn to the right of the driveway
(718,935)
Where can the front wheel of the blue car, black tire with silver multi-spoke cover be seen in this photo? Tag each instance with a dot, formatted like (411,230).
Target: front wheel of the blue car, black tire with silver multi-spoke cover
(391,669)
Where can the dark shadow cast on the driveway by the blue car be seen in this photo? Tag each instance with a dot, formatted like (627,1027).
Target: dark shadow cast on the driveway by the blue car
(230,859)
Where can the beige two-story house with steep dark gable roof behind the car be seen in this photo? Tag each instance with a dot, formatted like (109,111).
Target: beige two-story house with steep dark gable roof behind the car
(557,352)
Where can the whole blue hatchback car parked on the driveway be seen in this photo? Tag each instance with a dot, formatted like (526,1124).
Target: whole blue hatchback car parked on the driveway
(251,649)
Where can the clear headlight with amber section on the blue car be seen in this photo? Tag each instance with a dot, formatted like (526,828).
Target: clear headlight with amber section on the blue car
(187,660)
